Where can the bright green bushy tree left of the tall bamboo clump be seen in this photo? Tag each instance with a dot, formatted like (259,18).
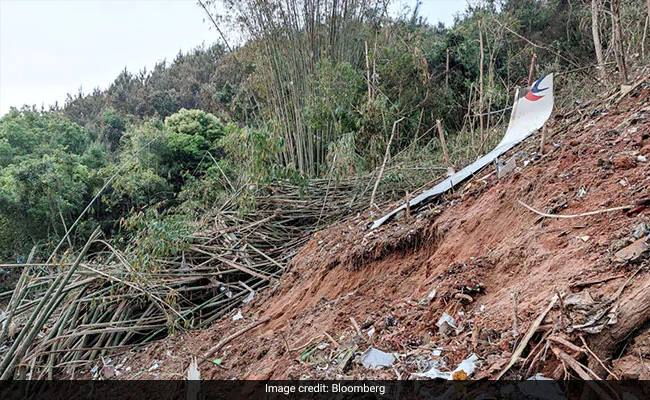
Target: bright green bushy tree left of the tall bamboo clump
(163,158)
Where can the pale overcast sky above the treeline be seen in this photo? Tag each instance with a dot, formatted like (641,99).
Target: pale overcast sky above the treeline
(49,48)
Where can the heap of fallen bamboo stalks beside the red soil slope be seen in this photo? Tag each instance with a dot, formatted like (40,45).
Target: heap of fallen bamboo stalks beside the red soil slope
(254,250)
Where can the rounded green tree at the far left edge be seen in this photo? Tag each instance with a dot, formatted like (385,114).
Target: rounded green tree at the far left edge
(46,176)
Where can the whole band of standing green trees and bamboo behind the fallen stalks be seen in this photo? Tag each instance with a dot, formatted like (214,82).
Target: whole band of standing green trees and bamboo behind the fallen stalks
(313,93)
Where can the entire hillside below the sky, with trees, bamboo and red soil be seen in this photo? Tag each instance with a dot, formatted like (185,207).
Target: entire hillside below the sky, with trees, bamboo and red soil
(220,206)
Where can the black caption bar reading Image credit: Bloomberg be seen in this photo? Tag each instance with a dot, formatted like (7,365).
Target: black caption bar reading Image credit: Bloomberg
(281,390)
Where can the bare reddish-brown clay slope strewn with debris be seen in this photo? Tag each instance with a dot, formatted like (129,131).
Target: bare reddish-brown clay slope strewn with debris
(479,256)
